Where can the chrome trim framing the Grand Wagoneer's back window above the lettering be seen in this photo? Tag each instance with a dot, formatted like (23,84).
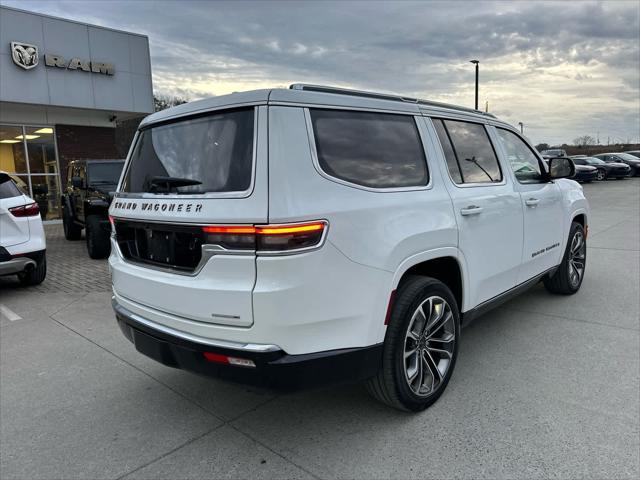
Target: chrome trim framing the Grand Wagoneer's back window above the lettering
(239,194)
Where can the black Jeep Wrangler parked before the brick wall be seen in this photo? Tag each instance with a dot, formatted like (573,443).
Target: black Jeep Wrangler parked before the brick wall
(85,202)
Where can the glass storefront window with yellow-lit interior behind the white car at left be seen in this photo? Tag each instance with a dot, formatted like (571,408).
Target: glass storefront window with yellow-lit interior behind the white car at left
(29,152)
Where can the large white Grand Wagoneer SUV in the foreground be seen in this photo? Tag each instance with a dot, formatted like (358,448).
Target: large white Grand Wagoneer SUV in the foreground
(313,234)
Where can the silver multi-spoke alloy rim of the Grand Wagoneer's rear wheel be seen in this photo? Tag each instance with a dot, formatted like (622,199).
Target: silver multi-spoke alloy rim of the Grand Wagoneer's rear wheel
(429,345)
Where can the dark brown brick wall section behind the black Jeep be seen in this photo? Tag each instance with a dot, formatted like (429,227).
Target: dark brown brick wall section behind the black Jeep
(77,142)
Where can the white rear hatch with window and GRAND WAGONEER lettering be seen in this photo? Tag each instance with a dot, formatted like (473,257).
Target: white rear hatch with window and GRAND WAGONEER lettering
(182,176)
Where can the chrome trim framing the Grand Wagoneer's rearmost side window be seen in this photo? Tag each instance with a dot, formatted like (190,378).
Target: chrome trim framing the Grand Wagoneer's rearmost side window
(316,163)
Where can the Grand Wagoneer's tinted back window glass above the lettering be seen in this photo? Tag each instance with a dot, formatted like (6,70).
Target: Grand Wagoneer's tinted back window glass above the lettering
(216,151)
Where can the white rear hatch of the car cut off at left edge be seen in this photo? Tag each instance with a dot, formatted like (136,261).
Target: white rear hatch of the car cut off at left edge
(14,227)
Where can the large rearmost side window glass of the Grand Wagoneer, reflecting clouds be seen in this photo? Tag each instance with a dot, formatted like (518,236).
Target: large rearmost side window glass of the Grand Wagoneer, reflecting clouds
(377,150)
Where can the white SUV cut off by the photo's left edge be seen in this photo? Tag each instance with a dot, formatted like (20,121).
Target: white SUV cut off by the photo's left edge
(22,240)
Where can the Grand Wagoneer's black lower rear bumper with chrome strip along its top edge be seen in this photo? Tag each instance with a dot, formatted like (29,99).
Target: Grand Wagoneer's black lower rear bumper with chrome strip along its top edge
(273,367)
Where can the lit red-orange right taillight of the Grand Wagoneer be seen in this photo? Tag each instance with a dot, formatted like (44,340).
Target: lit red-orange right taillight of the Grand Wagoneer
(267,238)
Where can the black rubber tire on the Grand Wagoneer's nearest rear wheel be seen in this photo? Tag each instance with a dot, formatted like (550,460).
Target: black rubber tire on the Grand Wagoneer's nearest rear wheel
(392,384)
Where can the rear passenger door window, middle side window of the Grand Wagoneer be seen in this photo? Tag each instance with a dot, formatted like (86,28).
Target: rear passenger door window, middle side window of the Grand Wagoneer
(469,145)
